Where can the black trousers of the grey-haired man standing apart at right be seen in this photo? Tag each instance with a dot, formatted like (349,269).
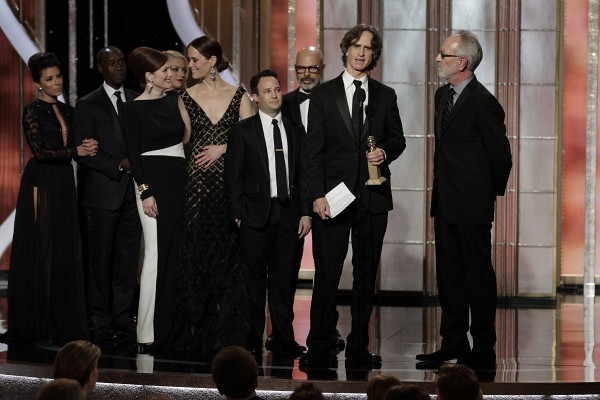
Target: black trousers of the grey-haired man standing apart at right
(466,282)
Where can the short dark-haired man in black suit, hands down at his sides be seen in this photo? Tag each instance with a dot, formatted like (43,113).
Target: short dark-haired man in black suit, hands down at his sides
(265,198)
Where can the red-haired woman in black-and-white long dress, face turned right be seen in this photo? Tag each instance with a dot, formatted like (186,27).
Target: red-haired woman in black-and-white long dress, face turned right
(156,127)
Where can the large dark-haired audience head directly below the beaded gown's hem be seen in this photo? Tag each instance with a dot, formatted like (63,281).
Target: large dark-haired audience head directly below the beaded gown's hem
(235,372)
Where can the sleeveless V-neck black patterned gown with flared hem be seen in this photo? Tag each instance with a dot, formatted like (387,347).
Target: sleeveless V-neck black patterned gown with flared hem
(211,295)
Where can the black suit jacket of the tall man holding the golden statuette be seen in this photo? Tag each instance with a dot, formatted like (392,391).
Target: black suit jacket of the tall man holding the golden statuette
(333,155)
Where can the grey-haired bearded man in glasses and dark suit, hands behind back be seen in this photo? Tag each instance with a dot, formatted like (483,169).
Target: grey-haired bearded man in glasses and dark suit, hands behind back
(471,166)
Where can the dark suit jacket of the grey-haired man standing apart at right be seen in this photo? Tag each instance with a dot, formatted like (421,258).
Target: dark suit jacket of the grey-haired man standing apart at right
(472,159)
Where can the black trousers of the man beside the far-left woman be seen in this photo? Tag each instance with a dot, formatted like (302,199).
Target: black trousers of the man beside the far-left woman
(114,248)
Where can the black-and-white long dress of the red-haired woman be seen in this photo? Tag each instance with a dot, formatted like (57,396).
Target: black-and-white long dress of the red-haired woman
(153,136)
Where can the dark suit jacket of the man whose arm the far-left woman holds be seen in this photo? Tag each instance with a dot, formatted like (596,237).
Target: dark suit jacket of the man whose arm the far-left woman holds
(95,117)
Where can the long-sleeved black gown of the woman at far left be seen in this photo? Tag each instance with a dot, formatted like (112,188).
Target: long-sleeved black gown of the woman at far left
(46,296)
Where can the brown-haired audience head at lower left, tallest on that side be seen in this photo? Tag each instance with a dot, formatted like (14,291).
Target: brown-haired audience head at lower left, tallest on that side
(78,360)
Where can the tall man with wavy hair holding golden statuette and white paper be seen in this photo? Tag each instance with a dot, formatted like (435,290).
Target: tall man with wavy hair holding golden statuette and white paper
(337,153)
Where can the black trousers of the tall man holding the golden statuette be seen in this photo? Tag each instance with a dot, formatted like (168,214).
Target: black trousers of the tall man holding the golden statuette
(330,246)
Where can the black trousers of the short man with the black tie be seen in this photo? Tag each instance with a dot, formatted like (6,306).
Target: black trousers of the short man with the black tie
(269,255)
